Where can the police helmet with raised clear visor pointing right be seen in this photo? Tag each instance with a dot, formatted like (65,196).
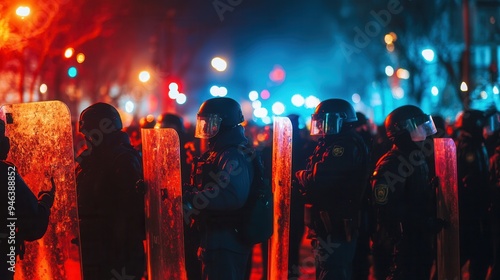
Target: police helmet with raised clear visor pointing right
(409,118)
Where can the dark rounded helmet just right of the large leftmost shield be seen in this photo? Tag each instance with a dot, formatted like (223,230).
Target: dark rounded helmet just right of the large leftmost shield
(100,116)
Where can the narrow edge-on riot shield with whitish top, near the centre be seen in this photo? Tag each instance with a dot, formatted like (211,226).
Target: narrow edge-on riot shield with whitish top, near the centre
(282,184)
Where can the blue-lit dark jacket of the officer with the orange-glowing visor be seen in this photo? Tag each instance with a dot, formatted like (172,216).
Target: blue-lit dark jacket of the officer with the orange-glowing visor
(223,189)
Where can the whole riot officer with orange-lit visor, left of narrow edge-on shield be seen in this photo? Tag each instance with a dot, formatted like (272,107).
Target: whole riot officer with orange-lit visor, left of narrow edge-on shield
(222,177)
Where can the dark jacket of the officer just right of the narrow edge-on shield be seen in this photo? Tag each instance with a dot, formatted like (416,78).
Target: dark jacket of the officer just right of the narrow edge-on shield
(337,177)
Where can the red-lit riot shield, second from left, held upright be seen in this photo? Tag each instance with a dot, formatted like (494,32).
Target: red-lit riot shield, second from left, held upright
(163,201)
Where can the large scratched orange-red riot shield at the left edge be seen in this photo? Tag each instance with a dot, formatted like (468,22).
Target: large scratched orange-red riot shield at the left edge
(42,148)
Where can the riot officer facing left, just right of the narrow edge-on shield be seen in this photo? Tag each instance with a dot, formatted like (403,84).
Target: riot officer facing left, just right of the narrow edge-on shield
(333,183)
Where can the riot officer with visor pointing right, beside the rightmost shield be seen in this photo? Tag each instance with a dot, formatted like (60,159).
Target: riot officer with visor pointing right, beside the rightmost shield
(402,195)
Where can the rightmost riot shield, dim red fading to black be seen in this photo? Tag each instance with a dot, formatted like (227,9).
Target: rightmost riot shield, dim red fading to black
(448,247)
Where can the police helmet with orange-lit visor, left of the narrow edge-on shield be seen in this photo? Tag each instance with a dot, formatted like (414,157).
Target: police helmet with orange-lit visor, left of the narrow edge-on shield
(216,114)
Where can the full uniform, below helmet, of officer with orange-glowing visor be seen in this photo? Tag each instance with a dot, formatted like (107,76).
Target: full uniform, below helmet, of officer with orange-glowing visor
(223,179)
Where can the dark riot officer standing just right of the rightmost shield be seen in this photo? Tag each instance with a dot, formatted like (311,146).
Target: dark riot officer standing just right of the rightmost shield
(473,193)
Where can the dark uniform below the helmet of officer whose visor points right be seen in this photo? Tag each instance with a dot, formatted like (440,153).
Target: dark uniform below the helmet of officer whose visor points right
(403,205)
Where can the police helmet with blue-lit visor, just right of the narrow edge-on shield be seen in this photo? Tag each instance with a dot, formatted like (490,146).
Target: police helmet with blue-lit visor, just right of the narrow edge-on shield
(330,115)
